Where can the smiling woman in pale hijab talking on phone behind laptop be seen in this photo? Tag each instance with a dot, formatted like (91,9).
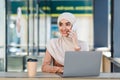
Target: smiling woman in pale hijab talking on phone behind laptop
(67,42)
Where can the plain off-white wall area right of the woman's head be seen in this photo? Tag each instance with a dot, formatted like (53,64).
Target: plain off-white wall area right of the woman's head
(85,29)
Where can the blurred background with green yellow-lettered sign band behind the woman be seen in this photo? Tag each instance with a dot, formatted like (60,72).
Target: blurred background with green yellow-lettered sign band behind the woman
(29,24)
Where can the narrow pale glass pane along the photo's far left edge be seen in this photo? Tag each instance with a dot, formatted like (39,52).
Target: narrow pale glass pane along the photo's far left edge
(2,35)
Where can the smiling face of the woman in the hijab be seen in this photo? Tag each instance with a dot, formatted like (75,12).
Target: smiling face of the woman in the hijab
(64,27)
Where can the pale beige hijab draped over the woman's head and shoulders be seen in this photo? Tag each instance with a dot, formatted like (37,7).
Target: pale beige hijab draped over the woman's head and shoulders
(58,46)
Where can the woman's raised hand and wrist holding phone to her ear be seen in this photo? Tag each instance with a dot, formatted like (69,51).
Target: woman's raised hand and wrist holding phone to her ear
(73,35)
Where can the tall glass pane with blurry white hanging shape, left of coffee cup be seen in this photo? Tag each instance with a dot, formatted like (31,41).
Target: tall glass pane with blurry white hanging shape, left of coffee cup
(16,34)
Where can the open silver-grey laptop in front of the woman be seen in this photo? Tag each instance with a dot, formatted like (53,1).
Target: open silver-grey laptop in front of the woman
(82,63)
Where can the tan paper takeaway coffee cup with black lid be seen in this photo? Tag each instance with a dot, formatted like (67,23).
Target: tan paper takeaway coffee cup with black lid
(32,67)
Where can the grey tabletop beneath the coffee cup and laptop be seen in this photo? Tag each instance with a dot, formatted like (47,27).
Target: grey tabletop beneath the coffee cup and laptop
(46,75)
